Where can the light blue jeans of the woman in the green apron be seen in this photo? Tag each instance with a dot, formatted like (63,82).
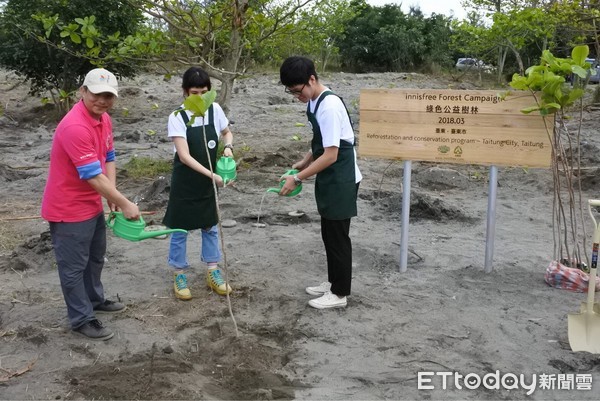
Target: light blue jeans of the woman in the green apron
(211,252)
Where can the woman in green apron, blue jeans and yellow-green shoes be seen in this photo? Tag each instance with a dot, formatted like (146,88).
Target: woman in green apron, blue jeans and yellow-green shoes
(192,202)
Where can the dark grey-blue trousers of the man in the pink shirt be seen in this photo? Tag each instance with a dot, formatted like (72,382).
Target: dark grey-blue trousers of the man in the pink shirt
(79,249)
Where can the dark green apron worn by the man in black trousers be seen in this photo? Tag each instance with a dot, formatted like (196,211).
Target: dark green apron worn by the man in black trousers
(335,187)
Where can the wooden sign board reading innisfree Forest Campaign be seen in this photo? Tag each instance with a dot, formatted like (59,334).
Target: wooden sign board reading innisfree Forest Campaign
(453,126)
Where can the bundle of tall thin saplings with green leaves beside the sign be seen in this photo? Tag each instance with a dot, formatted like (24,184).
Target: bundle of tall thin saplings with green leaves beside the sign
(555,98)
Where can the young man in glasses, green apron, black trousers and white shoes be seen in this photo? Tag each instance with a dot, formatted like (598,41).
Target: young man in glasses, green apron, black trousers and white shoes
(332,159)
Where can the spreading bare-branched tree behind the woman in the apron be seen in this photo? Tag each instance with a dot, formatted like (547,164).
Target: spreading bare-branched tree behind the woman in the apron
(217,34)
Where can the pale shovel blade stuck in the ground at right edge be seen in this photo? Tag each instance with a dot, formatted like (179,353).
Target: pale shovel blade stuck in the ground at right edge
(584,332)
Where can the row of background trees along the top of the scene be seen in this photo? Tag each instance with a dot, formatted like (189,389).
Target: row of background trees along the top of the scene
(54,42)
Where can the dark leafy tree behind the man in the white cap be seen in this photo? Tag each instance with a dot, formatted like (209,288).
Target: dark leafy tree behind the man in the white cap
(49,58)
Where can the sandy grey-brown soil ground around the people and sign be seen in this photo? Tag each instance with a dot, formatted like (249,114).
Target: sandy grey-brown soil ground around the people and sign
(443,315)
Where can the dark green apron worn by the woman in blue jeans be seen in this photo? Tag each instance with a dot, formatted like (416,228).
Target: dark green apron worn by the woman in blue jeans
(192,197)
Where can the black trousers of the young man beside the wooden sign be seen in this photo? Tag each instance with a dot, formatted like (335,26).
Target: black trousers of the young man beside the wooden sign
(338,247)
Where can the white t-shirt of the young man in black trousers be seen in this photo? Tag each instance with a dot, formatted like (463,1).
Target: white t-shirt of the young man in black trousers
(335,124)
